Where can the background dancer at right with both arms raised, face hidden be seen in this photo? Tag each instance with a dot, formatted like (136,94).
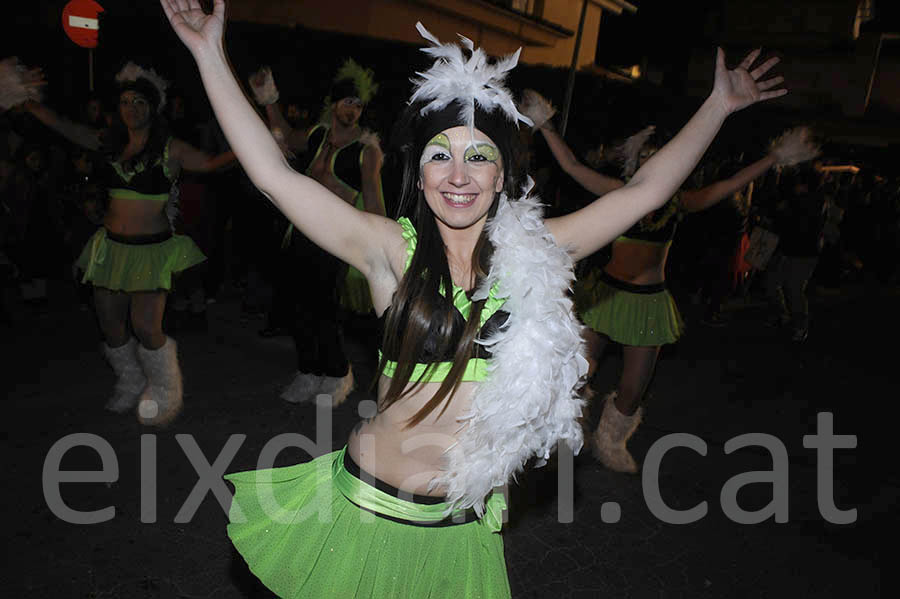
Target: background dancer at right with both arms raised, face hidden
(627,301)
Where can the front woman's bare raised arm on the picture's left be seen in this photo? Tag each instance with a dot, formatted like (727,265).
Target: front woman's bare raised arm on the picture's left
(358,238)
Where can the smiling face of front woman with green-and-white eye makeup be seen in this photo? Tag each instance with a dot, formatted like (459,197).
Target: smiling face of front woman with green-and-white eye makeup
(458,178)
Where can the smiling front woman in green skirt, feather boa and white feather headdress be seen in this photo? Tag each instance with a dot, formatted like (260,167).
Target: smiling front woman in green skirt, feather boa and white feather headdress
(482,357)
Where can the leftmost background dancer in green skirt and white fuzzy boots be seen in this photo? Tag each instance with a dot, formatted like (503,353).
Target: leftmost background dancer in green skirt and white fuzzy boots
(131,259)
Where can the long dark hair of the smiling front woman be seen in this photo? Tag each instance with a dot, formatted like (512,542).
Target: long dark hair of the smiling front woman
(422,305)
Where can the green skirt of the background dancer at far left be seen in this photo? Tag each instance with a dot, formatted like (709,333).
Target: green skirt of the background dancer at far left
(127,267)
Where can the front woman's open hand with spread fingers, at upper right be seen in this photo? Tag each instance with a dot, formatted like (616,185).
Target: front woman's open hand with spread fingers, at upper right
(741,87)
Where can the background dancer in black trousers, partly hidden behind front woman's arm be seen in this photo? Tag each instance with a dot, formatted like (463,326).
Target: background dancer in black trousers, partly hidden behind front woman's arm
(347,160)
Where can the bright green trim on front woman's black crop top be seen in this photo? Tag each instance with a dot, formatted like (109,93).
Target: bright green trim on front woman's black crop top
(432,368)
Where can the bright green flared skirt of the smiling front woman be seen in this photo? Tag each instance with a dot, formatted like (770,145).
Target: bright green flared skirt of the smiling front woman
(302,537)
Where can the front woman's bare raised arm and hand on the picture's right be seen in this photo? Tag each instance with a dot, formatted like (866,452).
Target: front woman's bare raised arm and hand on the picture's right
(587,230)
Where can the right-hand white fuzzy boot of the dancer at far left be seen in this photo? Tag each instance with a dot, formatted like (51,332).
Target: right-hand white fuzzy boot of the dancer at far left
(161,400)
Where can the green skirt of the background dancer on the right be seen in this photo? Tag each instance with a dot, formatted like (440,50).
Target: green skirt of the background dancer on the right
(626,317)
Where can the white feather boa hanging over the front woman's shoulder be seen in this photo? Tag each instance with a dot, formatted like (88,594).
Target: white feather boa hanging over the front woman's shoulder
(529,400)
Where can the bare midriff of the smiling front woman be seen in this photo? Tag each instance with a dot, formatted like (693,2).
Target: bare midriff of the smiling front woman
(409,458)
